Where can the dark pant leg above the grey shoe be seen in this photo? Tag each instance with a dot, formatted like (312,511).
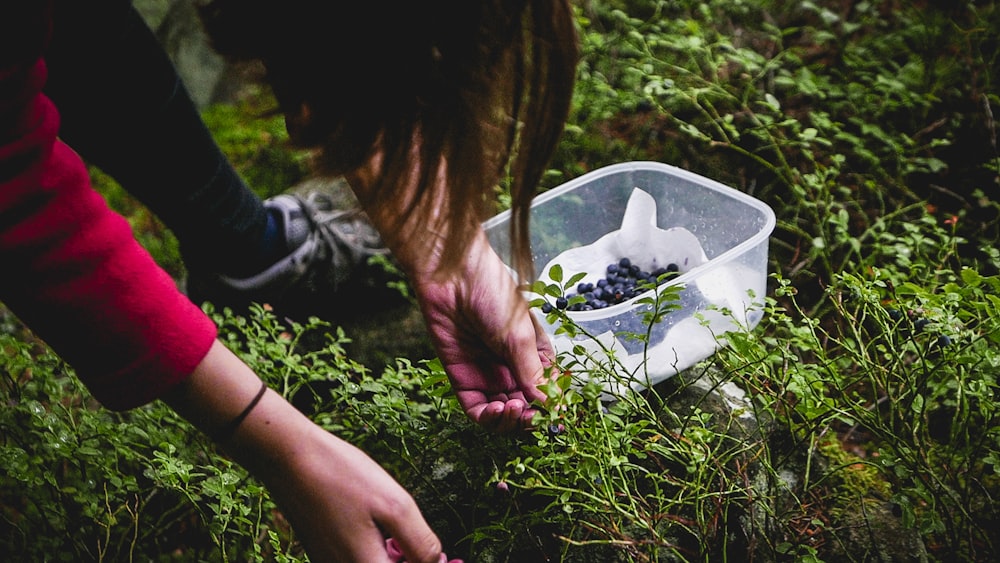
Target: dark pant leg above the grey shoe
(126,111)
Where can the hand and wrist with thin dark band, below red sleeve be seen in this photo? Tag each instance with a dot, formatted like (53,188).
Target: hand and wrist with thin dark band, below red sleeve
(341,504)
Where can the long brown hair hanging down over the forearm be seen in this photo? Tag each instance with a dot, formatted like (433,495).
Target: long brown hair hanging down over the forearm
(484,85)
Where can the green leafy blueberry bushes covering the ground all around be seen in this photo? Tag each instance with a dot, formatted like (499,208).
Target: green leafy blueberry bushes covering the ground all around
(858,421)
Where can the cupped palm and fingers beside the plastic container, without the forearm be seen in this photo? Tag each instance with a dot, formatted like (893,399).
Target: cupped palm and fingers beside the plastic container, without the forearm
(492,347)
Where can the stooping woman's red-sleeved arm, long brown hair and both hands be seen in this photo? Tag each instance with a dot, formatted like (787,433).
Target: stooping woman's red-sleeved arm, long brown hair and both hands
(433,99)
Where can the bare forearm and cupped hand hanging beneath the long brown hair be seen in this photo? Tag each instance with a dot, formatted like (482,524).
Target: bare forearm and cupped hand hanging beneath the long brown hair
(492,347)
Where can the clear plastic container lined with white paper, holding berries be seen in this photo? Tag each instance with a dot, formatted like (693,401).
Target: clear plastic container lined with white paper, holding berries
(723,294)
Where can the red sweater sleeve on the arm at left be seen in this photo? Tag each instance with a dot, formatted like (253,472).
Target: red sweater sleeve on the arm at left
(70,267)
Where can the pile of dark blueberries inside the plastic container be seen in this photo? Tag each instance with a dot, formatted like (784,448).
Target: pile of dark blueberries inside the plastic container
(623,281)
